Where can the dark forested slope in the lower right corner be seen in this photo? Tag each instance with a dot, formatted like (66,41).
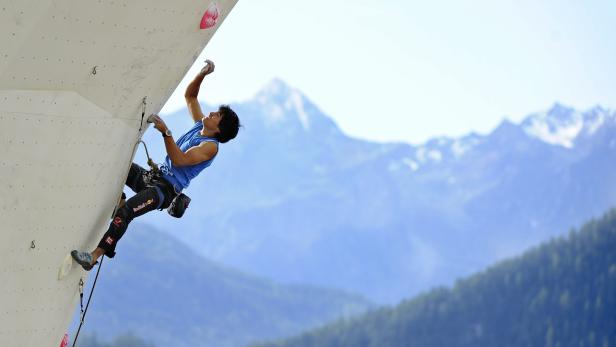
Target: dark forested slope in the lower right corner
(562,293)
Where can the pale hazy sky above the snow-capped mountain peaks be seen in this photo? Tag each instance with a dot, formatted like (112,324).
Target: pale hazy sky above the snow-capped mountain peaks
(411,70)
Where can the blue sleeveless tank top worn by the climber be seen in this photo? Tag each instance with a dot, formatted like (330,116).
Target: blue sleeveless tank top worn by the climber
(180,176)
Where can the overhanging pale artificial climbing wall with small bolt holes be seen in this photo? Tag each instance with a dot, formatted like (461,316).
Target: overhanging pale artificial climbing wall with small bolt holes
(73,78)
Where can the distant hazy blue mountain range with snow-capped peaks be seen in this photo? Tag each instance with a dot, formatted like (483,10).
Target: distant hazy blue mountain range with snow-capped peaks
(296,200)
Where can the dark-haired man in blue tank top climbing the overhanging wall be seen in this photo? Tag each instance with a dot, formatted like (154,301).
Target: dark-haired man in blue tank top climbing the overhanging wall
(186,158)
